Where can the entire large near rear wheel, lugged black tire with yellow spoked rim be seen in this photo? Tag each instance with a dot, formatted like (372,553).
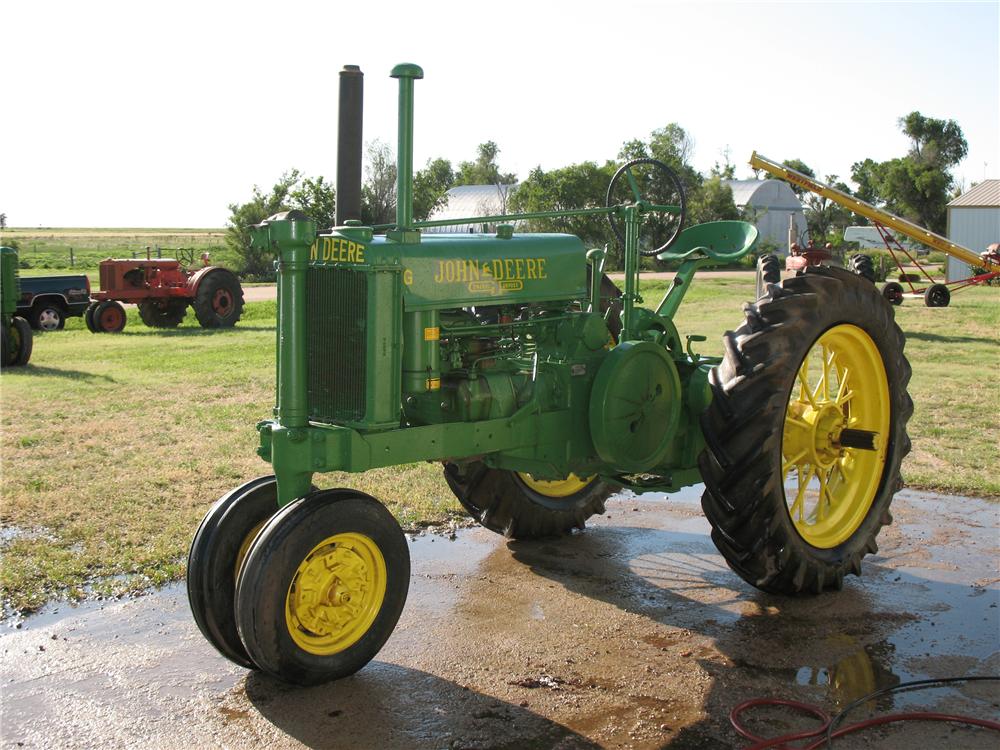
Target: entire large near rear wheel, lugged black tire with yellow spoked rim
(802,458)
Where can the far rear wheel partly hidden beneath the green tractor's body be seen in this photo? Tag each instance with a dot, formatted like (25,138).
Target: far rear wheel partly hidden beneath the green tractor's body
(503,501)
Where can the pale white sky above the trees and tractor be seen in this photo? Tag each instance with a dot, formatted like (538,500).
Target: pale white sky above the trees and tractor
(157,114)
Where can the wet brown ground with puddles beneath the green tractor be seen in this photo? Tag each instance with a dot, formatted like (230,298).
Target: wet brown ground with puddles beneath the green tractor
(632,634)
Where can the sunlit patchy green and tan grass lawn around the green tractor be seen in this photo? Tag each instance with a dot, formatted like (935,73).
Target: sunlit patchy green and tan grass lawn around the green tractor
(114,446)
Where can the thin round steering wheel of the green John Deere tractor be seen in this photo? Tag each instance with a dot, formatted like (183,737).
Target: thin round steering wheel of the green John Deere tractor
(648,182)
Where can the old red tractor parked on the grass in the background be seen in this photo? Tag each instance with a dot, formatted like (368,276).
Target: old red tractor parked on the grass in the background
(163,288)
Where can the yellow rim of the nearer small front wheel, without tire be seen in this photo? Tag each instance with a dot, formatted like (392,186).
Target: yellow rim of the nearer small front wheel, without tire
(336,593)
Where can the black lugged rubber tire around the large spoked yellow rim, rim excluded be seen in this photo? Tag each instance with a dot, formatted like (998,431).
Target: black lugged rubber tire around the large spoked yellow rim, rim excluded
(744,499)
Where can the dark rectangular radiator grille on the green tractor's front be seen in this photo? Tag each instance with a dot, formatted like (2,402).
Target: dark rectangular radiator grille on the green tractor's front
(338,310)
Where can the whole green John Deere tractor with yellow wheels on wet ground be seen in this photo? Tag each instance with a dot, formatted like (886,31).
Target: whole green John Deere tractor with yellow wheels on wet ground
(511,359)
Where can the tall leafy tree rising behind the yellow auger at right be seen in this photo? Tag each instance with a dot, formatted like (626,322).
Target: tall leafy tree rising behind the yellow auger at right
(918,185)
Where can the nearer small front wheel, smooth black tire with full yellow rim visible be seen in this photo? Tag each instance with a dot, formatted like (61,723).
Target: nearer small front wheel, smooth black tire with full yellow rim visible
(322,587)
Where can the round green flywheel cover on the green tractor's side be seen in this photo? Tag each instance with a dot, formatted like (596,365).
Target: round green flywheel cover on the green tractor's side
(635,406)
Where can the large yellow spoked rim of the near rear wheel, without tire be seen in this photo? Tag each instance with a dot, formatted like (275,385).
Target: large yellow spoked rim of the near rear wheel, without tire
(841,385)
